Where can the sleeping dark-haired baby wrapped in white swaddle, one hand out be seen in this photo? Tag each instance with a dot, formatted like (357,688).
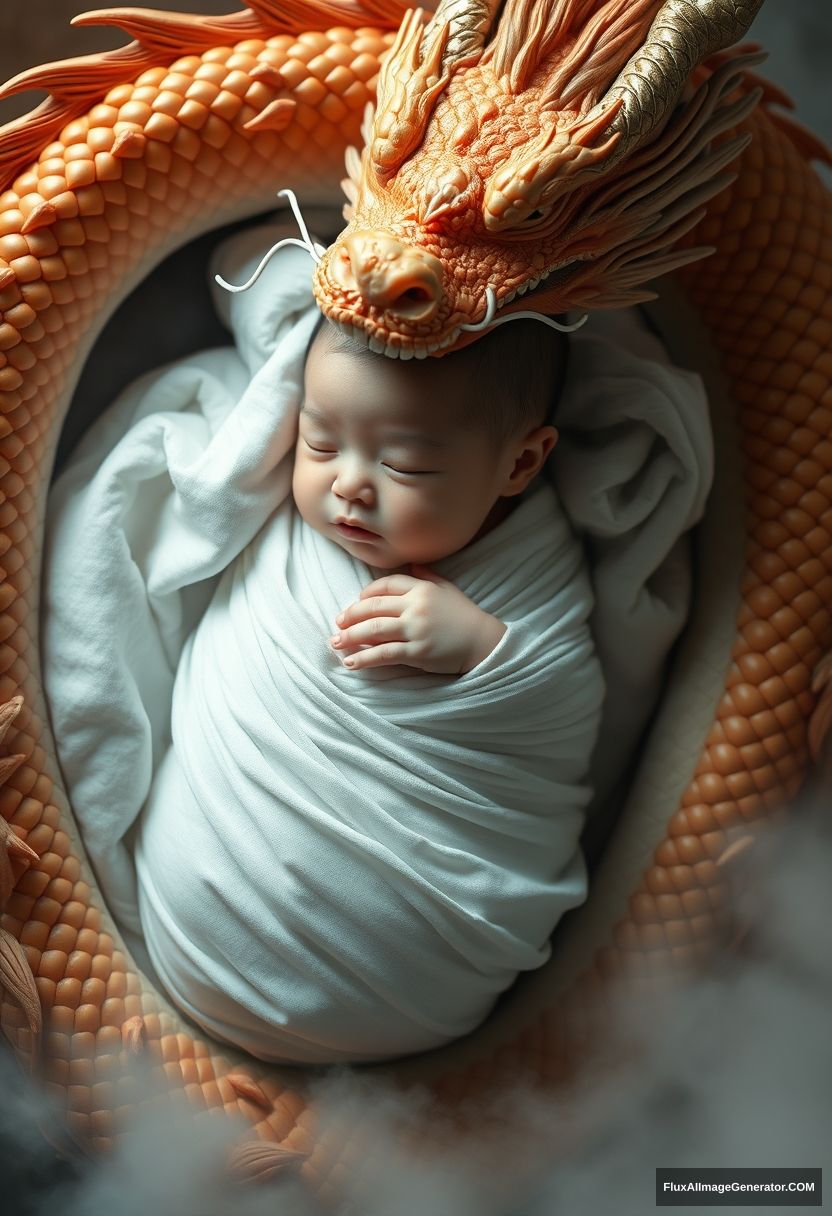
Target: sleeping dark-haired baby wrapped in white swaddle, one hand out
(368,820)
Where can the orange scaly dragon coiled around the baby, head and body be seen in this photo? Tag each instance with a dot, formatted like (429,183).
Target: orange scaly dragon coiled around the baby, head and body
(541,155)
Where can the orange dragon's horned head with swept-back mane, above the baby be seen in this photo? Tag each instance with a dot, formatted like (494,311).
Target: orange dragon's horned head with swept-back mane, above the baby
(561,150)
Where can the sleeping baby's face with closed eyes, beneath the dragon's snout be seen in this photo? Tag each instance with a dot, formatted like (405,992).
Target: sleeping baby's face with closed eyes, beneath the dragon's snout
(385,466)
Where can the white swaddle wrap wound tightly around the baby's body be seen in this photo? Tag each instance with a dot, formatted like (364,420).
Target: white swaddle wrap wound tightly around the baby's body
(340,865)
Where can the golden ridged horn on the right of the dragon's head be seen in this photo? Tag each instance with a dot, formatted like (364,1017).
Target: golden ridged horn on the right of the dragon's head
(683,35)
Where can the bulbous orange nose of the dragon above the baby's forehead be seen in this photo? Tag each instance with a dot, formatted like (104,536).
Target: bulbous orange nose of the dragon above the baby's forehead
(401,279)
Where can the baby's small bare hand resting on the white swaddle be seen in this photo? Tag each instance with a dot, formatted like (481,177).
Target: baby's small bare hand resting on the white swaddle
(423,622)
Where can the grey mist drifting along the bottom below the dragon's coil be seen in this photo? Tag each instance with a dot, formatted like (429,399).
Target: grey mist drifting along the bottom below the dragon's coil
(733,1069)
